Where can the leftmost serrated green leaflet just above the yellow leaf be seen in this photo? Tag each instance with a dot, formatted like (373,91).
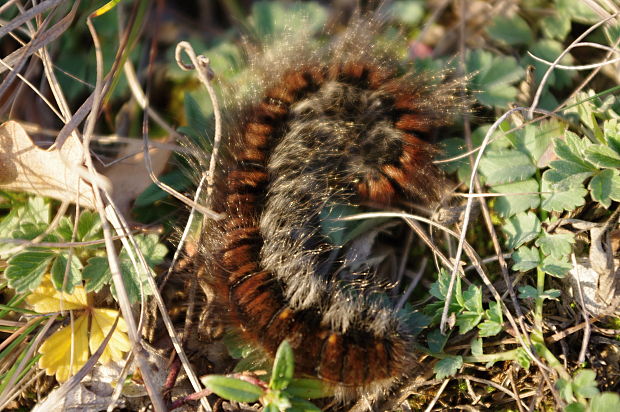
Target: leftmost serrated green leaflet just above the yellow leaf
(26,269)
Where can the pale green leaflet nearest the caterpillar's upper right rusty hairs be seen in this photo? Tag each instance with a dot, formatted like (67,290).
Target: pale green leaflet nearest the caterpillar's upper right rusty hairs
(506,166)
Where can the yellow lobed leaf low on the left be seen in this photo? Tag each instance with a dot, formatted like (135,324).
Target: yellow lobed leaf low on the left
(84,335)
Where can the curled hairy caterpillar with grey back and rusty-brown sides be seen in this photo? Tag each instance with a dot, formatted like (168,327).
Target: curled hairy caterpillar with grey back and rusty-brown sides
(343,124)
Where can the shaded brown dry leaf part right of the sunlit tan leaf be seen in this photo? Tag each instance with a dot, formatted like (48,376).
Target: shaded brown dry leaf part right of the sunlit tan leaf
(130,177)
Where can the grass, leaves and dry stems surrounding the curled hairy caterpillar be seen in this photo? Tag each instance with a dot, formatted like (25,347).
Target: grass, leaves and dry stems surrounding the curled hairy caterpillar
(527,320)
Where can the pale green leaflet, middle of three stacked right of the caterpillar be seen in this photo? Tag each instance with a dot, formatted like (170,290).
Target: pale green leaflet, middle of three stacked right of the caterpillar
(509,205)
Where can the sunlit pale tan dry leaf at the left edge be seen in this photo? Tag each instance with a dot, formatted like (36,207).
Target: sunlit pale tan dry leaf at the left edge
(25,167)
